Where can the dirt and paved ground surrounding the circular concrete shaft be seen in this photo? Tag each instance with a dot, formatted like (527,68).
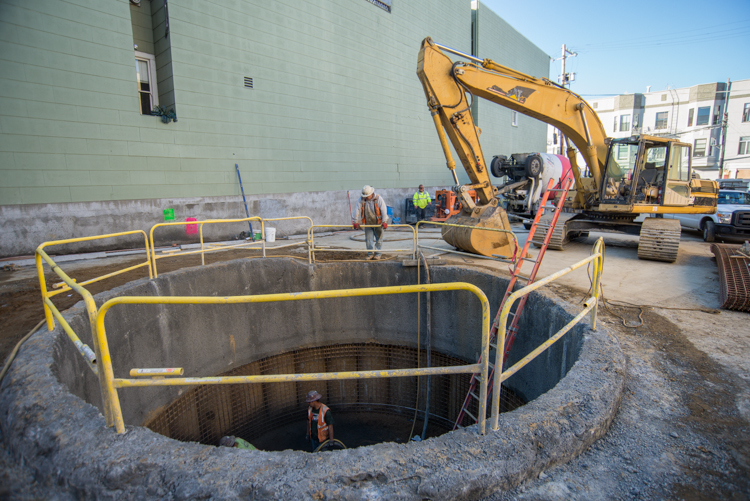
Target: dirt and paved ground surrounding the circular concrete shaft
(682,431)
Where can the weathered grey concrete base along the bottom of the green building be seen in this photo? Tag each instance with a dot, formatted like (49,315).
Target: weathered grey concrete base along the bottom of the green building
(24,227)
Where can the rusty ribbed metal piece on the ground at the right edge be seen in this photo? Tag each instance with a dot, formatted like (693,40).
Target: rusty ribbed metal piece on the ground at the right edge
(734,276)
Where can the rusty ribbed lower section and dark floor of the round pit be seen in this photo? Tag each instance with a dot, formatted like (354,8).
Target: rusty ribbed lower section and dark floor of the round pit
(366,411)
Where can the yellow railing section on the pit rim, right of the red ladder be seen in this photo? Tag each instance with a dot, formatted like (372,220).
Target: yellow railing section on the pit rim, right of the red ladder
(590,305)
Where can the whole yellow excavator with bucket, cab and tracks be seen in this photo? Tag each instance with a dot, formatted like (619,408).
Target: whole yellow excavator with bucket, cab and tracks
(624,178)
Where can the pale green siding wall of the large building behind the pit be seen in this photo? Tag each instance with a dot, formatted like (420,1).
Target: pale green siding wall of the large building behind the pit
(335,104)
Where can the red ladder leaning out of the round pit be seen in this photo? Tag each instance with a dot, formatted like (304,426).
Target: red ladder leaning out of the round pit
(515,316)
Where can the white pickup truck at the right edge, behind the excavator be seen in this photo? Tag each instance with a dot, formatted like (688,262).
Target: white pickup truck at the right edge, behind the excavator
(732,218)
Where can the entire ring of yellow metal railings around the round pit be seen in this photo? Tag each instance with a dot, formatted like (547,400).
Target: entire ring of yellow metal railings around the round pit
(100,361)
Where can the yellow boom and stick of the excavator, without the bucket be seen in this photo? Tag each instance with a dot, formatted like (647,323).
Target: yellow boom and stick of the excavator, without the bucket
(446,85)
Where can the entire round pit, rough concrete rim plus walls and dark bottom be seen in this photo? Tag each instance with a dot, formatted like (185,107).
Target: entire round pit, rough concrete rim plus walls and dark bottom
(50,402)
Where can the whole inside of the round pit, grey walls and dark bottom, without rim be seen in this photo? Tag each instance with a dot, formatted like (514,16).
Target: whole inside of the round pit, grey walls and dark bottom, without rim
(324,335)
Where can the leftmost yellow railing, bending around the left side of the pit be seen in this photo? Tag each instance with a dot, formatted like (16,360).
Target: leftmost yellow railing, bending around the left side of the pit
(50,310)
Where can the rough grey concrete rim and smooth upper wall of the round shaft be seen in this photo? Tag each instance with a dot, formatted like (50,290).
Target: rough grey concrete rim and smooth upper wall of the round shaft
(49,414)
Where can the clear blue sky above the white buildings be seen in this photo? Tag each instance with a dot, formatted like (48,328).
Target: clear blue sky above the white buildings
(626,46)
